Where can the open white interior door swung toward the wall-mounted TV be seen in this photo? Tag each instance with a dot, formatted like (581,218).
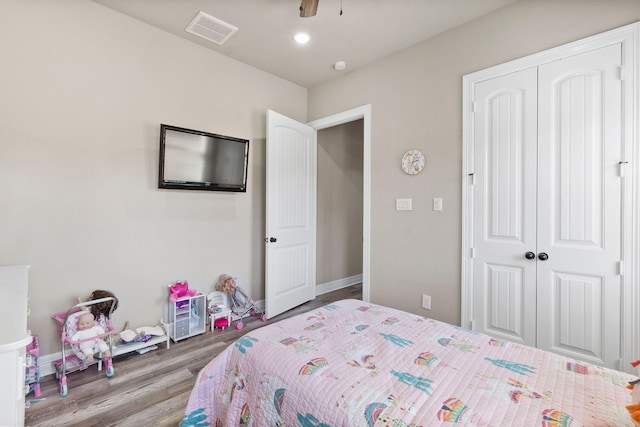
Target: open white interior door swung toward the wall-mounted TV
(290,251)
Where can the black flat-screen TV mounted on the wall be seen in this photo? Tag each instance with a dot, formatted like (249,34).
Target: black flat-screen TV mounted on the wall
(195,160)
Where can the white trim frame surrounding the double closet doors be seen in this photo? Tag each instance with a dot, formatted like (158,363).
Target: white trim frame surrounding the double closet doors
(629,38)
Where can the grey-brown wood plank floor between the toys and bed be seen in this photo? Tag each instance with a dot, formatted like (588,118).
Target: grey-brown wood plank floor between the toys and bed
(148,389)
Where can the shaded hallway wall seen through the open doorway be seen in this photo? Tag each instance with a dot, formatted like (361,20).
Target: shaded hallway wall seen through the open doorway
(339,238)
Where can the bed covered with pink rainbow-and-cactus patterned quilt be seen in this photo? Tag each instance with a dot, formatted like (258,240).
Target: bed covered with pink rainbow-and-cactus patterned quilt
(352,363)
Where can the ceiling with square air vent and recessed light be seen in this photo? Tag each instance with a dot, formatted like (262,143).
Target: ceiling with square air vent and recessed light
(366,31)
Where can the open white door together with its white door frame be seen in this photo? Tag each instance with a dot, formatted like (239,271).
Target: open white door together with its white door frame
(290,259)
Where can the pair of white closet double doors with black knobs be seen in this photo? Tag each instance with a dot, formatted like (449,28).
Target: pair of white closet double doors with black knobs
(547,206)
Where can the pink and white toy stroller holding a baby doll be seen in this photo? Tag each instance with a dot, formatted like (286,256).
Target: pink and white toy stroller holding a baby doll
(67,323)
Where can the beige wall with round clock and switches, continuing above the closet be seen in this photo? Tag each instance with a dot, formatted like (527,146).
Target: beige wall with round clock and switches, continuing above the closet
(416,100)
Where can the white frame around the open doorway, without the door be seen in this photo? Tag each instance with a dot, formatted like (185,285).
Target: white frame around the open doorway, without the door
(362,112)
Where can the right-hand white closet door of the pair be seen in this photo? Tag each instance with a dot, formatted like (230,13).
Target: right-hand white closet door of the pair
(579,206)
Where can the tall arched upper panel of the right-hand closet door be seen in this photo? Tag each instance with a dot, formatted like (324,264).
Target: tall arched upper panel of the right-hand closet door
(578,158)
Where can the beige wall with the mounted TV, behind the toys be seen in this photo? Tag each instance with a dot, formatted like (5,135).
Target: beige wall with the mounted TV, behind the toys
(83,91)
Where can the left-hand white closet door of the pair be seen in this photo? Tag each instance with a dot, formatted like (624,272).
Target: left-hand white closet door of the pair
(504,207)
